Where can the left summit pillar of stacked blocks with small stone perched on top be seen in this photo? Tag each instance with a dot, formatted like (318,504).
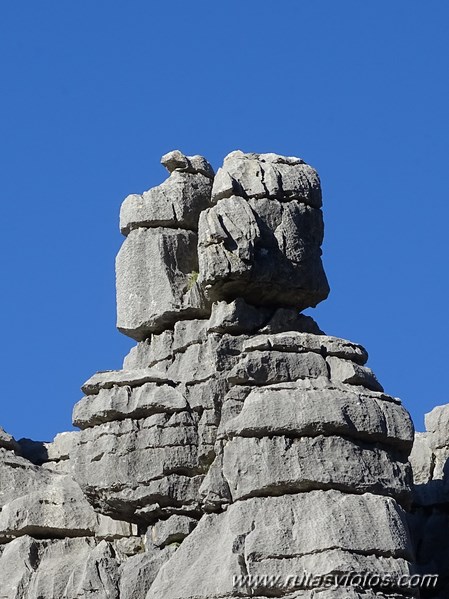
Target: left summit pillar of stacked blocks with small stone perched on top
(157,266)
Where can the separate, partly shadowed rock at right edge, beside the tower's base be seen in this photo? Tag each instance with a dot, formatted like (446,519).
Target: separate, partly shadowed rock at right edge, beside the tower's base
(429,519)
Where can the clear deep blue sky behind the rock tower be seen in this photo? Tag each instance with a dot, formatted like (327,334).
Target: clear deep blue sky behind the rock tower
(94,92)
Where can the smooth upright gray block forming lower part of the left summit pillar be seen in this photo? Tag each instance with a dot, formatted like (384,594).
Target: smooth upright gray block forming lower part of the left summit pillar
(156,281)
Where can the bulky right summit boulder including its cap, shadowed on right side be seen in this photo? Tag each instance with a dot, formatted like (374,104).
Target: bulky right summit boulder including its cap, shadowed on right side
(261,240)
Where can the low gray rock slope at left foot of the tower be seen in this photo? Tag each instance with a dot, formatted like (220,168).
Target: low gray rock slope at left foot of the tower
(52,542)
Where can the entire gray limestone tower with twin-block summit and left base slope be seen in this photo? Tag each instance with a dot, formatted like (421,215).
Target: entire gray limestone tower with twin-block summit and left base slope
(250,454)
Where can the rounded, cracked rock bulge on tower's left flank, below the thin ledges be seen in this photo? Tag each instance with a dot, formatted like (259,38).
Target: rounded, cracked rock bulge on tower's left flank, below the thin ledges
(124,466)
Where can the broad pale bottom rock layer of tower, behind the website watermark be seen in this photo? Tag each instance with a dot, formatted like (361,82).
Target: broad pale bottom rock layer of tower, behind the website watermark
(272,536)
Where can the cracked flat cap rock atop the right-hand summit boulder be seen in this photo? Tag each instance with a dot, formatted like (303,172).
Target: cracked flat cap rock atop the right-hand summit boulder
(267,176)
